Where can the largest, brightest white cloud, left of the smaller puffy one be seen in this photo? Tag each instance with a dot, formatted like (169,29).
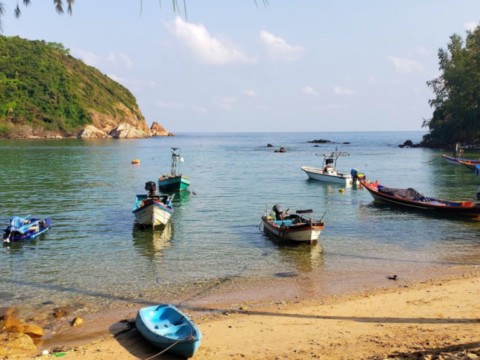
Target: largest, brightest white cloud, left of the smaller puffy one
(206,47)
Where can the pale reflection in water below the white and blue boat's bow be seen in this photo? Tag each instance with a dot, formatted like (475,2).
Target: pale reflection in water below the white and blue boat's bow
(152,243)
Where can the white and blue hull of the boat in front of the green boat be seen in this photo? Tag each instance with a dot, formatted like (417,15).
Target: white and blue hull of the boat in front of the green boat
(151,212)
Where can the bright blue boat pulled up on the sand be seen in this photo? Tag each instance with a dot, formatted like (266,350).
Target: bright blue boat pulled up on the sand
(167,328)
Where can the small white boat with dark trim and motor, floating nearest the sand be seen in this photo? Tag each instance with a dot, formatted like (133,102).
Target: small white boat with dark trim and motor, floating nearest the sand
(297,228)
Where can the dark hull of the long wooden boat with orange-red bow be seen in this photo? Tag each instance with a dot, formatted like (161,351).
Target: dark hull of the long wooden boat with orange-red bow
(429,205)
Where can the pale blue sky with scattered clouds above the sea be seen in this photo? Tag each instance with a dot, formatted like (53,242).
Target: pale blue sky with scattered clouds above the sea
(247,66)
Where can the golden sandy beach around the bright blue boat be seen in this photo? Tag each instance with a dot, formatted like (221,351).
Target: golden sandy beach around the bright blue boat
(417,320)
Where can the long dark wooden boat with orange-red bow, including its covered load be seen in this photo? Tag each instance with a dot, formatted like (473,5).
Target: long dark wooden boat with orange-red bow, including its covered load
(411,198)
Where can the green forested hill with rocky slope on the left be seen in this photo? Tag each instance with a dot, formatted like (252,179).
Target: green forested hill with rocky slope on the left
(46,92)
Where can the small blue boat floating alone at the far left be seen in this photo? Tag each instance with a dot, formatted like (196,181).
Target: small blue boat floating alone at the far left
(25,228)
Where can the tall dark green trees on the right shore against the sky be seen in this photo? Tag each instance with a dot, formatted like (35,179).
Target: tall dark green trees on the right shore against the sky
(456,106)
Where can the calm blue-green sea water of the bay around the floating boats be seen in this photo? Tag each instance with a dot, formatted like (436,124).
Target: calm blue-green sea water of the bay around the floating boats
(94,255)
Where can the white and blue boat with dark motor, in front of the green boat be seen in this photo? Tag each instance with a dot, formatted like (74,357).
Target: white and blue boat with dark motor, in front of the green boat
(152,209)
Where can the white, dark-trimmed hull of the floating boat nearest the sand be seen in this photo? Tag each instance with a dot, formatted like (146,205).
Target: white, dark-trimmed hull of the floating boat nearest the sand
(299,233)
